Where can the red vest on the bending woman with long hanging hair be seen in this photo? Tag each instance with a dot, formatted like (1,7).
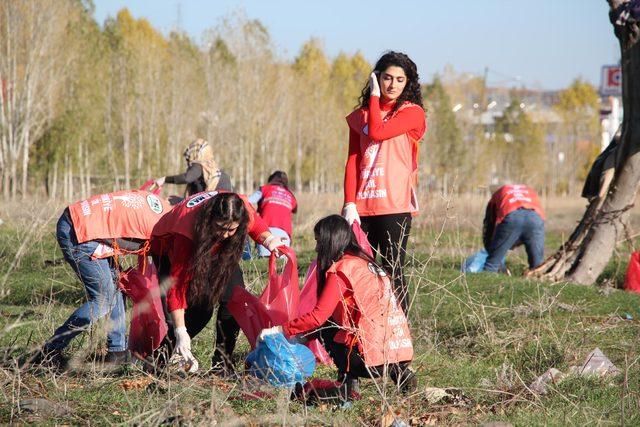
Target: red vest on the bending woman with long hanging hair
(181,219)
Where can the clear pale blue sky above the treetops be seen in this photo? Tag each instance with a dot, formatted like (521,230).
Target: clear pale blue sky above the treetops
(545,44)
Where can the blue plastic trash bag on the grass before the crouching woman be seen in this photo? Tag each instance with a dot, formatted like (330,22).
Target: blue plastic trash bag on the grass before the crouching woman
(280,362)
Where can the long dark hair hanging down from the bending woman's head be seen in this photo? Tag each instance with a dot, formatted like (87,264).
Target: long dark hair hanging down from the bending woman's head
(216,258)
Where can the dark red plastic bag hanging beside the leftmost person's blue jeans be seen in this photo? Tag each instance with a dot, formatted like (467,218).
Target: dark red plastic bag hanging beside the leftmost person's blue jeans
(148,326)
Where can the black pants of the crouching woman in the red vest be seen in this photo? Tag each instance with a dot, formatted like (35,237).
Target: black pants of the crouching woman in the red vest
(350,362)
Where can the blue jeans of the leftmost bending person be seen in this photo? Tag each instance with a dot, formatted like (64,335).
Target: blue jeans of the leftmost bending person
(99,279)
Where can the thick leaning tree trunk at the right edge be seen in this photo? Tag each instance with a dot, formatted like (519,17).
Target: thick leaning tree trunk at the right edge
(584,256)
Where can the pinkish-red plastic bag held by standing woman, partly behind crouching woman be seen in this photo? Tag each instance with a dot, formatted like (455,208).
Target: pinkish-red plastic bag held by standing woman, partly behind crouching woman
(309,295)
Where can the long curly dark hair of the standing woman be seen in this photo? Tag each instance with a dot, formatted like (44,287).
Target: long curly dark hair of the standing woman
(411,91)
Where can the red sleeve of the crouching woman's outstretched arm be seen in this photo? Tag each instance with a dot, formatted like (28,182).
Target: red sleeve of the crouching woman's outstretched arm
(335,291)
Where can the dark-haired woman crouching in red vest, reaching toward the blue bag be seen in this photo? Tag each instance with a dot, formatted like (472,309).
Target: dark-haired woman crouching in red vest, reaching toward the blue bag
(357,314)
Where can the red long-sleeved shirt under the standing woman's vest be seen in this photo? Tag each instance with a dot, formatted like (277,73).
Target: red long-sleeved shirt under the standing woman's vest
(409,120)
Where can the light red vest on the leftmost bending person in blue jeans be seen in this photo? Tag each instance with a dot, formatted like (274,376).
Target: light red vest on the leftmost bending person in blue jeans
(122,214)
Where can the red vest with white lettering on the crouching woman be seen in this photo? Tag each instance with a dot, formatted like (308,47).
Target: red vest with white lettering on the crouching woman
(374,316)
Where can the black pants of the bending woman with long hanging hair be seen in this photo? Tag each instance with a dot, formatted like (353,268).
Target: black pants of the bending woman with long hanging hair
(196,317)
